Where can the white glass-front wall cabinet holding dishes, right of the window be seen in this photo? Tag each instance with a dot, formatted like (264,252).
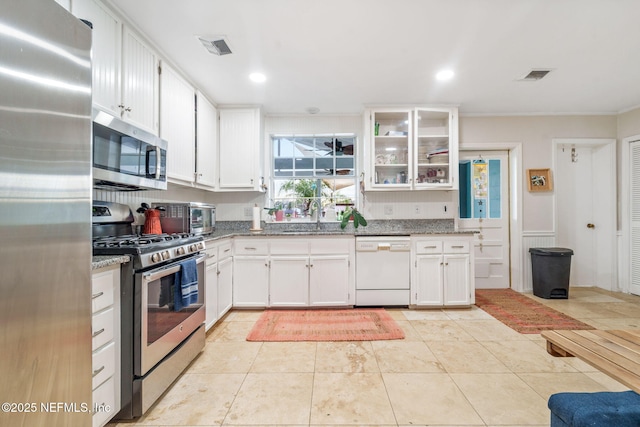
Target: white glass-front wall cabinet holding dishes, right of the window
(413,149)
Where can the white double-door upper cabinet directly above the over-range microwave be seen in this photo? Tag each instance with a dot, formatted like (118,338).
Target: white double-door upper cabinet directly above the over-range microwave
(125,68)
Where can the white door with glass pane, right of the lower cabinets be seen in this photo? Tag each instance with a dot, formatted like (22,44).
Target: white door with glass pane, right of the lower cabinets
(484,207)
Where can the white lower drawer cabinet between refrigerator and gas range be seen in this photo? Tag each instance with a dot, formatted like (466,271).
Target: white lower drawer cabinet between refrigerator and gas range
(105,325)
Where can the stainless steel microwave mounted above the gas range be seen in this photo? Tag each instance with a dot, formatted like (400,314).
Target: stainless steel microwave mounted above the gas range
(126,157)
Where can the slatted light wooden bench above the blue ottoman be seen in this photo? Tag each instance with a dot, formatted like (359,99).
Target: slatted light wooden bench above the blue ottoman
(614,352)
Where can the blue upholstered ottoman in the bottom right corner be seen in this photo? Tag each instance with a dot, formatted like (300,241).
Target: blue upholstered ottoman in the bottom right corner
(603,409)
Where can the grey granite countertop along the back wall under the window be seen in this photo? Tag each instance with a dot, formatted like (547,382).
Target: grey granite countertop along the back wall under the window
(374,228)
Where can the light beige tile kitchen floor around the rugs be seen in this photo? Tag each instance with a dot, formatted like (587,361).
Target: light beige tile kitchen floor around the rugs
(454,368)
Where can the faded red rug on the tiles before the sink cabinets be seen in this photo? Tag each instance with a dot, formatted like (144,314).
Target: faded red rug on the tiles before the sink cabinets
(325,325)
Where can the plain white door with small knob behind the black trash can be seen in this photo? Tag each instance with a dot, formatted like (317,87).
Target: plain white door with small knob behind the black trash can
(585,203)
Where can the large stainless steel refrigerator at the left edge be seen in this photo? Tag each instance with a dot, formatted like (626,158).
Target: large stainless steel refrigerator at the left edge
(45,215)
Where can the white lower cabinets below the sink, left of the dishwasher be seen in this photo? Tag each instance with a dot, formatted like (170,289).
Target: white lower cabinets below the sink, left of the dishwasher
(293,272)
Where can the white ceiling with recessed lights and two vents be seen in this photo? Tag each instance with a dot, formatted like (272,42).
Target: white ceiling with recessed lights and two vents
(340,55)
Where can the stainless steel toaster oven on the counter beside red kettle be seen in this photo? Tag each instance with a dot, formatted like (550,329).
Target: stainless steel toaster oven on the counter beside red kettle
(196,218)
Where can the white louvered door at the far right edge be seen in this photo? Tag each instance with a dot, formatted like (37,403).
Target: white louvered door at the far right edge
(634,160)
